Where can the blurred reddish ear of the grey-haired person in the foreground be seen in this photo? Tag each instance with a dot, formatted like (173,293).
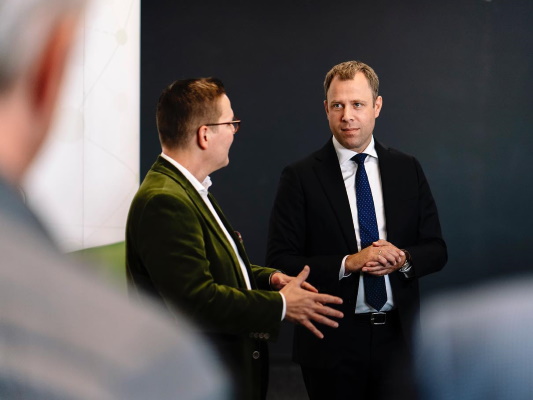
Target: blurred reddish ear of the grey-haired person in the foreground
(45,81)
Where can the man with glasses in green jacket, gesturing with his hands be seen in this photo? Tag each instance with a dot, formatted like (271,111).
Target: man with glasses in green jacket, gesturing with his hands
(182,250)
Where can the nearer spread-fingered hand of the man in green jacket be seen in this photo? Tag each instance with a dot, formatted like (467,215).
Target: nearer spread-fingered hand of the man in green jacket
(305,307)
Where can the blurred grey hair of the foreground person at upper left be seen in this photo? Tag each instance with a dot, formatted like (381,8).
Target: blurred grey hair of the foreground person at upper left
(24,26)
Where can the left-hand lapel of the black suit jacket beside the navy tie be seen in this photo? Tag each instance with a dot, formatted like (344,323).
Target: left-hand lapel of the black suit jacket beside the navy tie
(329,174)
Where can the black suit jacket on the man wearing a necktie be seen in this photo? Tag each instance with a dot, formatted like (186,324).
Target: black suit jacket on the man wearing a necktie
(311,224)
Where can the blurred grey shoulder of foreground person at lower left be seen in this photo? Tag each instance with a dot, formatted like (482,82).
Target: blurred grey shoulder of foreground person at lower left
(65,333)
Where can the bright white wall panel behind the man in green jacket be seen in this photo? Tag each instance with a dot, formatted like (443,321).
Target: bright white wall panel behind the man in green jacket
(85,177)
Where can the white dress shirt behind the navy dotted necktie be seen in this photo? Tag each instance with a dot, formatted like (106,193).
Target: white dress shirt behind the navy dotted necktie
(348,169)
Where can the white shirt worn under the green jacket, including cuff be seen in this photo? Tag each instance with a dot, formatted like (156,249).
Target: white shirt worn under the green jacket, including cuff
(202,189)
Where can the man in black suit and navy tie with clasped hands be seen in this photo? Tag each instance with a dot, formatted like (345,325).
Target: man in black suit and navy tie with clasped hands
(367,225)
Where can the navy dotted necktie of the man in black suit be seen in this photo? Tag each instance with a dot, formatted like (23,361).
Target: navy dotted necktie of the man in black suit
(375,292)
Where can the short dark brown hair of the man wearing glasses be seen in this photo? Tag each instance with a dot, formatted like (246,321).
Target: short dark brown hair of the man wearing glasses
(186,105)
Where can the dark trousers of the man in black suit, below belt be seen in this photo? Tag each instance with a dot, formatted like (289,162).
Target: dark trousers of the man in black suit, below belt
(375,364)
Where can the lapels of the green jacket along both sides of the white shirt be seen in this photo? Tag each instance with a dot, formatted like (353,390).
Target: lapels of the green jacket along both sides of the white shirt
(164,167)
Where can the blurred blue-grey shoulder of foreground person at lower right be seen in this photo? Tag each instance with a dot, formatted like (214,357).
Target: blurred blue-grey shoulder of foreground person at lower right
(475,343)
